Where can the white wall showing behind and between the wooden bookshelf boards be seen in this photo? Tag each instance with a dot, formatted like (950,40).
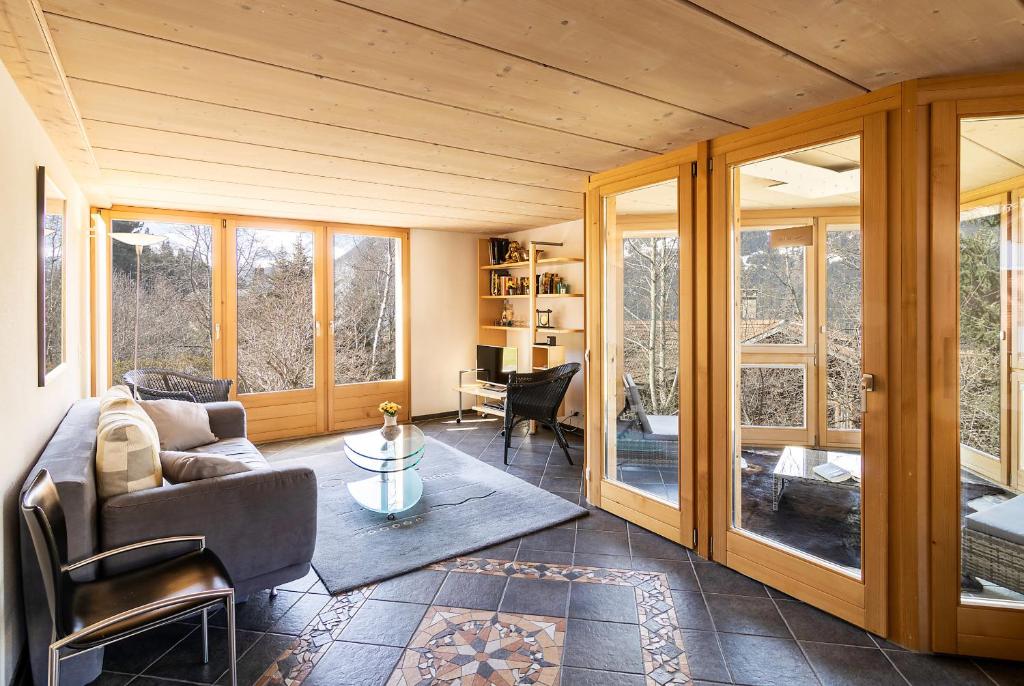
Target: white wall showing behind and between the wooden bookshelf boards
(567,313)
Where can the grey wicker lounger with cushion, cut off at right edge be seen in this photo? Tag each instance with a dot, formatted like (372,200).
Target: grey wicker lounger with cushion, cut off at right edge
(994,545)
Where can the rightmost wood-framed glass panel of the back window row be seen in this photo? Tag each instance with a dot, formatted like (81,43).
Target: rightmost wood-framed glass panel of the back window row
(369,360)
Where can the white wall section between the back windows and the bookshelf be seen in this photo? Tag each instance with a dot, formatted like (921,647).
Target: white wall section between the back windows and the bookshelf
(444,268)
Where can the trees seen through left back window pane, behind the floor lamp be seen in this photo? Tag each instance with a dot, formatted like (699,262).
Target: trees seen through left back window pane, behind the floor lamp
(176,313)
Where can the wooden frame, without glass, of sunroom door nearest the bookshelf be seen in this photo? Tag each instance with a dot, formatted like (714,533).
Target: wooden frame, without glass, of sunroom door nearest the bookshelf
(678,525)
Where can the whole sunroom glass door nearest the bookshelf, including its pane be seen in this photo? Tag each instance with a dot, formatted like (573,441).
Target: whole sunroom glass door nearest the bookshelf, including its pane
(647,361)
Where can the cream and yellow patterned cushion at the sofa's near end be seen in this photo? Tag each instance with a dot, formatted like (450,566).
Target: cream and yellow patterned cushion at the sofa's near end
(127,447)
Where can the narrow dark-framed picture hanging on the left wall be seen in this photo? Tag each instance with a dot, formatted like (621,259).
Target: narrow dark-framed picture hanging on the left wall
(51,238)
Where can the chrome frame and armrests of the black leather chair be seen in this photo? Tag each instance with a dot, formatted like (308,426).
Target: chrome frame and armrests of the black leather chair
(216,598)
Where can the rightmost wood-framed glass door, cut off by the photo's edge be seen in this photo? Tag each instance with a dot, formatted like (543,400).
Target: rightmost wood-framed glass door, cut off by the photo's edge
(978,493)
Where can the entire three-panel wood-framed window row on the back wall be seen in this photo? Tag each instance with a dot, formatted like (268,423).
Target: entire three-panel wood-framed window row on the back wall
(309,320)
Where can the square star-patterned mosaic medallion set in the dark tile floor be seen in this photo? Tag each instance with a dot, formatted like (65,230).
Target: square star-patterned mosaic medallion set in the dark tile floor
(480,649)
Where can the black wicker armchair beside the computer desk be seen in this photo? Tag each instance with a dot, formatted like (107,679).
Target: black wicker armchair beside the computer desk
(536,398)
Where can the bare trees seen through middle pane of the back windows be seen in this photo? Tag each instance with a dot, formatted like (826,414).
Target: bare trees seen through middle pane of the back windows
(276,317)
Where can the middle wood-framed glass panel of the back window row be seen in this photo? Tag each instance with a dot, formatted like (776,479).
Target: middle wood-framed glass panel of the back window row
(276,334)
